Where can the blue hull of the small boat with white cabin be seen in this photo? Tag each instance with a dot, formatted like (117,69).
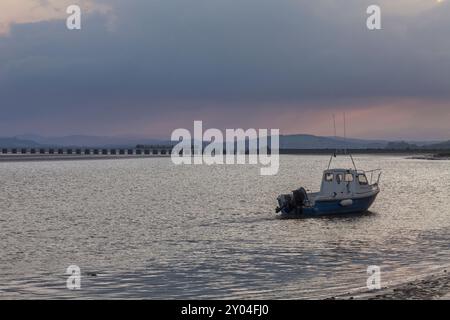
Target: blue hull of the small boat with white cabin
(334,207)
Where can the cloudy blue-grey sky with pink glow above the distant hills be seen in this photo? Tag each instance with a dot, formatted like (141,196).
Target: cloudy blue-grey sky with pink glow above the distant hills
(147,67)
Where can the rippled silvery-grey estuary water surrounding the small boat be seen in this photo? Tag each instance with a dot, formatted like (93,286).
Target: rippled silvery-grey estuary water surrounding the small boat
(144,228)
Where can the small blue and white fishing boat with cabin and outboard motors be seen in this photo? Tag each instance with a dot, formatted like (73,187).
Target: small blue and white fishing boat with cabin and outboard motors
(343,191)
